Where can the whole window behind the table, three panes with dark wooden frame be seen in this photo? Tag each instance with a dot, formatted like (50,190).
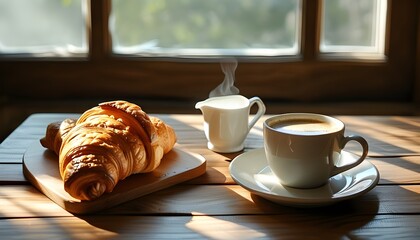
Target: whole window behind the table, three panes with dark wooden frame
(295,63)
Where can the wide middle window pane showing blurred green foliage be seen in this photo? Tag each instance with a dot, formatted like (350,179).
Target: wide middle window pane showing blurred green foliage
(211,27)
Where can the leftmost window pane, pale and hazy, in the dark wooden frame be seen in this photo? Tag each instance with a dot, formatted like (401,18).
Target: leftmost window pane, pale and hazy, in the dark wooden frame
(43,26)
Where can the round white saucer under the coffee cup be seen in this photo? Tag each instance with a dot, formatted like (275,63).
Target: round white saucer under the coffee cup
(251,171)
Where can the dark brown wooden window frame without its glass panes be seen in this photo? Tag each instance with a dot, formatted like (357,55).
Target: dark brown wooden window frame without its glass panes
(311,77)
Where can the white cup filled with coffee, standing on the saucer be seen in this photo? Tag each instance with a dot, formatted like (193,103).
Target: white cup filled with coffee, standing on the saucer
(303,149)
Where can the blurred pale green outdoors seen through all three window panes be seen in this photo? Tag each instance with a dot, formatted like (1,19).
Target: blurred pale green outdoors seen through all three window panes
(177,28)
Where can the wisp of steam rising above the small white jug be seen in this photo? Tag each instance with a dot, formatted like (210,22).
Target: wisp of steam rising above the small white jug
(227,86)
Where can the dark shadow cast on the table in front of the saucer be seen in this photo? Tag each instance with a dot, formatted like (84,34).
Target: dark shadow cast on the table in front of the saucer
(328,222)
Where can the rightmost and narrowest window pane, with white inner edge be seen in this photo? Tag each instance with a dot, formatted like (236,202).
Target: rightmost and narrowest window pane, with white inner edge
(353,26)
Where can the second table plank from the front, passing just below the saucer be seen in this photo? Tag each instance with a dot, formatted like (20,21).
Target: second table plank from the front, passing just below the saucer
(25,201)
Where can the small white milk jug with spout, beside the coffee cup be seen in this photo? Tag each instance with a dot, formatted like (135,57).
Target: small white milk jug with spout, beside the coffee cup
(226,121)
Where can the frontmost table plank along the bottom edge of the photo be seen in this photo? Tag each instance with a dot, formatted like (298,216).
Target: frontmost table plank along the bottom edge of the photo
(323,226)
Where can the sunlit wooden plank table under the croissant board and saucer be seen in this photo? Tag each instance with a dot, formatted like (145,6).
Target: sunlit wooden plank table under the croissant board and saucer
(213,206)
